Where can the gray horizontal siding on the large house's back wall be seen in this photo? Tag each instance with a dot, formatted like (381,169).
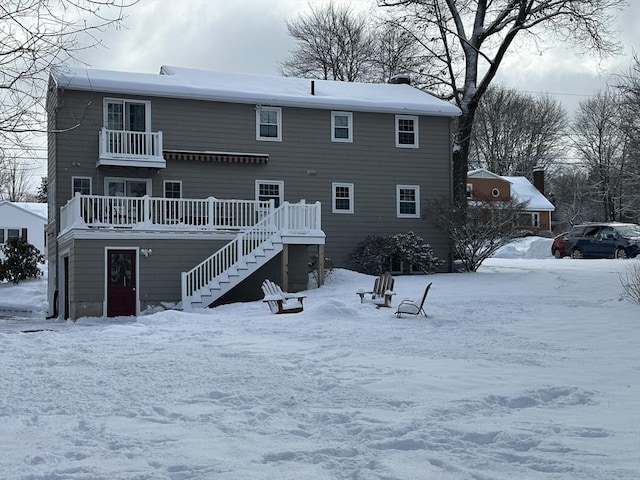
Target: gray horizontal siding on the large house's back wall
(371,162)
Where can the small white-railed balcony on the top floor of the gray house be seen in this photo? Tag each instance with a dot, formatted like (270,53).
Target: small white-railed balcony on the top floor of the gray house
(131,149)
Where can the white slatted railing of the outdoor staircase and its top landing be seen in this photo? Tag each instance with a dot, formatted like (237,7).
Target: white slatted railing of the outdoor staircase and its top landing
(299,218)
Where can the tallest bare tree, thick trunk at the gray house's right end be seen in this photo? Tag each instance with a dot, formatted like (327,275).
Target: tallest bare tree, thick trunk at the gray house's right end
(467,40)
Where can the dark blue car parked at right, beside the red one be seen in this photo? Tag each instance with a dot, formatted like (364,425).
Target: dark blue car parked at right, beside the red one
(604,240)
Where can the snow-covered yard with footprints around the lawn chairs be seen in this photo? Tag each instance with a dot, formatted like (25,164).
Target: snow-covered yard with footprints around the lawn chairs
(527,369)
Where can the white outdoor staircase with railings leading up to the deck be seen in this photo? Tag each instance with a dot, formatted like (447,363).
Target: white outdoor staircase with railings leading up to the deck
(243,256)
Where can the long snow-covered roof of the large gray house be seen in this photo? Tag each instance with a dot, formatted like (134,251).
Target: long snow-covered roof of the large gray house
(177,82)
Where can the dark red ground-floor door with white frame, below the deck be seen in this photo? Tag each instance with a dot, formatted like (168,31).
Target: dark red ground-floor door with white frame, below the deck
(121,283)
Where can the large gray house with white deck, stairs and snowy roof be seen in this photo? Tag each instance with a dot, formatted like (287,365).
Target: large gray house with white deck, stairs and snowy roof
(188,188)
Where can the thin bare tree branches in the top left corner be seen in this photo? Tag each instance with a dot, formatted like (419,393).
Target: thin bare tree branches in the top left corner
(37,35)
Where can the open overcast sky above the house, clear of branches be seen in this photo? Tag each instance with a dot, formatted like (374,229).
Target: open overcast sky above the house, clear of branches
(250,36)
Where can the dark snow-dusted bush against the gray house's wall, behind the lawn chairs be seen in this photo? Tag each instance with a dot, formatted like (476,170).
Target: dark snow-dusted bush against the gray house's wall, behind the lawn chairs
(375,254)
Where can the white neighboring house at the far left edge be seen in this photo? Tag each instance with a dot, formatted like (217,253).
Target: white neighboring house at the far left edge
(24,220)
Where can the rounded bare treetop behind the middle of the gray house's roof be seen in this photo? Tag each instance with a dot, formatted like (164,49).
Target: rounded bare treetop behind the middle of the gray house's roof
(333,44)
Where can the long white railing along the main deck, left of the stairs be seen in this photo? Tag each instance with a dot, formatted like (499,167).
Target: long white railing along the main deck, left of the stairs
(92,211)
